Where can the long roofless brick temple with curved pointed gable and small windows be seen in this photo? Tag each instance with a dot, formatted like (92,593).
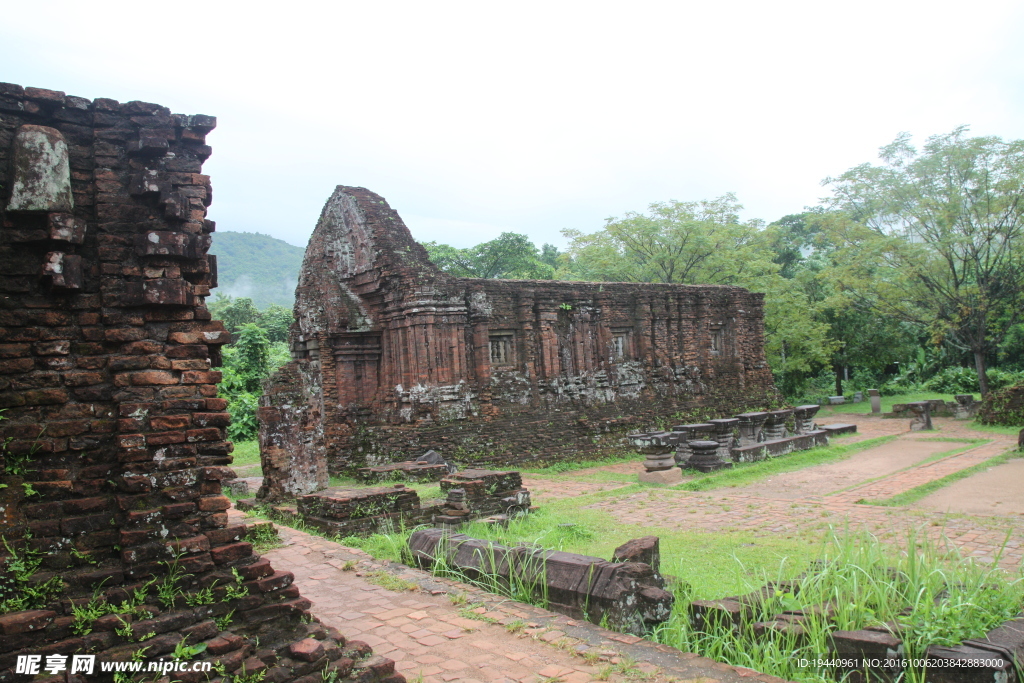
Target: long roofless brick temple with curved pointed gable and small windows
(393,358)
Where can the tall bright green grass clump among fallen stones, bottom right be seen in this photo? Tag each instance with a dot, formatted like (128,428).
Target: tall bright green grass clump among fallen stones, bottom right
(936,596)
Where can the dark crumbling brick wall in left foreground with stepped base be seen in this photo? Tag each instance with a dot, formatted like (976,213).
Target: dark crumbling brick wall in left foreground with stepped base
(114,447)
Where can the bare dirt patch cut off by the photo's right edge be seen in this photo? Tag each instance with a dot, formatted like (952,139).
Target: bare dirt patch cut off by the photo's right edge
(998,491)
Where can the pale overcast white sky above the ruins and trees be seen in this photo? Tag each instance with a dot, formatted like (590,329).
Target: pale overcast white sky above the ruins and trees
(475,118)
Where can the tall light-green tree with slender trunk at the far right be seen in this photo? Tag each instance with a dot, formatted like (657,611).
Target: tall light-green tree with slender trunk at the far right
(934,238)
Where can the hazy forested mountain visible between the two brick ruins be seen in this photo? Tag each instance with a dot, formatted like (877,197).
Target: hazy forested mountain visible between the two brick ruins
(259,267)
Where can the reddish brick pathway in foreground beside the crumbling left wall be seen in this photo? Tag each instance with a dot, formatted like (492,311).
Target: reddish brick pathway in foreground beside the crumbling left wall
(479,637)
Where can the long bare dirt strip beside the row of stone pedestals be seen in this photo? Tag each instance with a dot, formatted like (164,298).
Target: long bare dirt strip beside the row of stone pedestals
(826,480)
